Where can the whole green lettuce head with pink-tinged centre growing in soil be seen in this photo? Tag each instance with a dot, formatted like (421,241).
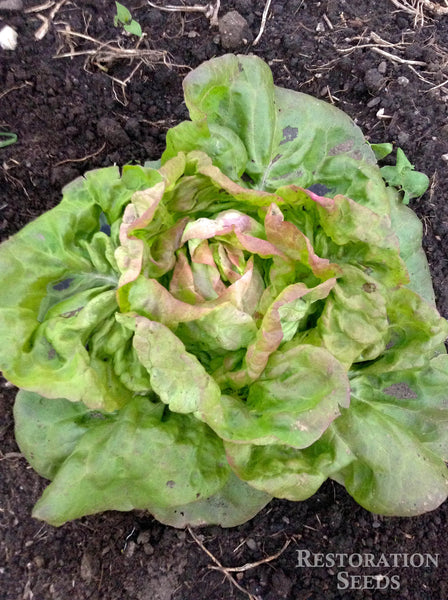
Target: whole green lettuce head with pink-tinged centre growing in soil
(242,321)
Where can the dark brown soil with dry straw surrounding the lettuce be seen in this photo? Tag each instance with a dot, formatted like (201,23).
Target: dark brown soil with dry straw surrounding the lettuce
(72,114)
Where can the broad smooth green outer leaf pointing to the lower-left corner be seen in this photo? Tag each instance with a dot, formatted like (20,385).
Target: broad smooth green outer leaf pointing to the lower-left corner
(142,458)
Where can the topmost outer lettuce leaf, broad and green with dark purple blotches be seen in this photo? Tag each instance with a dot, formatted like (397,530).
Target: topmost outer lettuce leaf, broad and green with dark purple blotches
(290,138)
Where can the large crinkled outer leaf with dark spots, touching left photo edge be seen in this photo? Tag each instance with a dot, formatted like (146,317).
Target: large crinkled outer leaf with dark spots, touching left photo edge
(49,314)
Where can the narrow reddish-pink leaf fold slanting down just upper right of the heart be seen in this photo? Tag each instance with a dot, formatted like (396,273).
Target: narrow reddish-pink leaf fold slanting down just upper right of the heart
(292,242)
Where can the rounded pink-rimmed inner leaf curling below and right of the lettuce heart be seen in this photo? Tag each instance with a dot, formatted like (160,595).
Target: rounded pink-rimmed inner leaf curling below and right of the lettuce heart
(293,402)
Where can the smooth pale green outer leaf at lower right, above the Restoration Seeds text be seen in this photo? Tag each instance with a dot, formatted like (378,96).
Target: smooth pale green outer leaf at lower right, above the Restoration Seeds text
(395,470)
